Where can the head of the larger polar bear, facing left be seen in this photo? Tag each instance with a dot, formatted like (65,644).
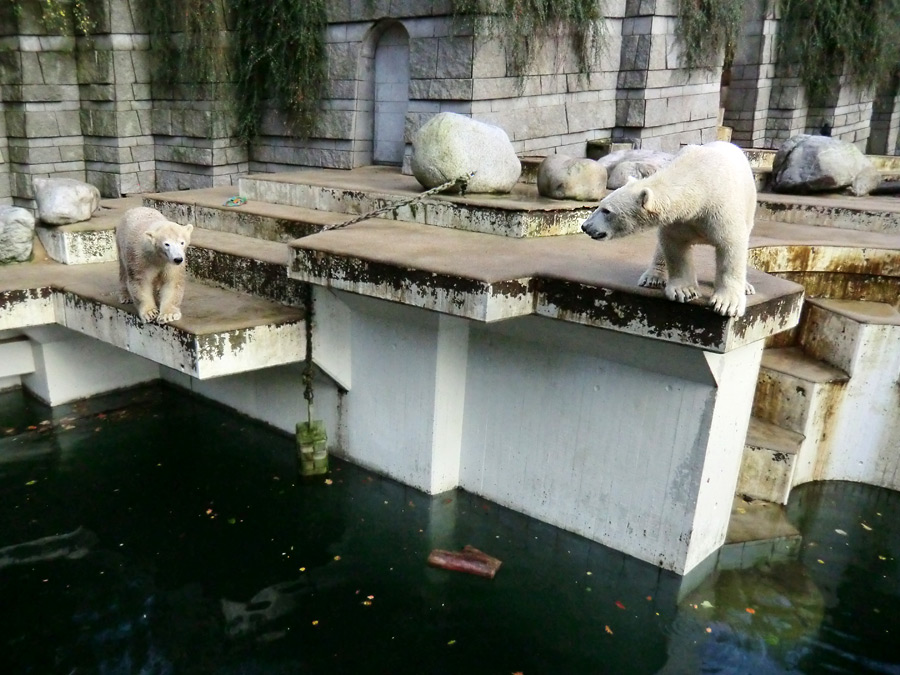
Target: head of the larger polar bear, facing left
(628,210)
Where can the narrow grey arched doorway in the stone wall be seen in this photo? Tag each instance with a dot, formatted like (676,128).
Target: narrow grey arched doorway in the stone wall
(391,95)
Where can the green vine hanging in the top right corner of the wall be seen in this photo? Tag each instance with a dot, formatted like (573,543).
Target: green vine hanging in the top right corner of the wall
(825,38)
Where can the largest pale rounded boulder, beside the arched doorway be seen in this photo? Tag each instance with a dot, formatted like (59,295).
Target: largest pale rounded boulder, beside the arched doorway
(452,146)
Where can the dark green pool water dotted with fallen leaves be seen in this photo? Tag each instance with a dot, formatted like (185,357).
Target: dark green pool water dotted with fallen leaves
(183,505)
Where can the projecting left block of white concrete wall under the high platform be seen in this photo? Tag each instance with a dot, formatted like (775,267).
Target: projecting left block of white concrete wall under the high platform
(404,412)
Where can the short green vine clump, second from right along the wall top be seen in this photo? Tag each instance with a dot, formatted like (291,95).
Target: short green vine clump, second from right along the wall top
(706,28)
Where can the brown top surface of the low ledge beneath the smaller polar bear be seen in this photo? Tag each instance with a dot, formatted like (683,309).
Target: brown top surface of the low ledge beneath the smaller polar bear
(205,310)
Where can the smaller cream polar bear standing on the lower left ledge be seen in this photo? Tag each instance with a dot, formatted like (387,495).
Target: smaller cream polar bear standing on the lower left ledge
(151,263)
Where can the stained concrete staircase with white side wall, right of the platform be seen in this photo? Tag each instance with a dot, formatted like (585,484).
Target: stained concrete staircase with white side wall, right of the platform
(825,407)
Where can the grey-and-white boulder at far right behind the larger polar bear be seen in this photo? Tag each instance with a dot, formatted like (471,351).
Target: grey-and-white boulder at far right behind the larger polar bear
(807,163)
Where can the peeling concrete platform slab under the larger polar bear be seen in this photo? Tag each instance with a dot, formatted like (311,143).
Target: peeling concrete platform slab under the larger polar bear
(569,278)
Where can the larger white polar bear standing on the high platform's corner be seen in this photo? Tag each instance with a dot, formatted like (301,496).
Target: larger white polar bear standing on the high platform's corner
(707,195)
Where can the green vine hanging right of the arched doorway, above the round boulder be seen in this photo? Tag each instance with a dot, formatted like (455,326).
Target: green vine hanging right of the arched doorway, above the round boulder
(520,24)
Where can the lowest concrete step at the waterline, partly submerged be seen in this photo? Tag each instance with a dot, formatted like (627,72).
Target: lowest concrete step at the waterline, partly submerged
(758,532)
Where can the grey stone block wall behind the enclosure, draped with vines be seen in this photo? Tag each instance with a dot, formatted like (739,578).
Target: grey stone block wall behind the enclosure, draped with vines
(86,108)
